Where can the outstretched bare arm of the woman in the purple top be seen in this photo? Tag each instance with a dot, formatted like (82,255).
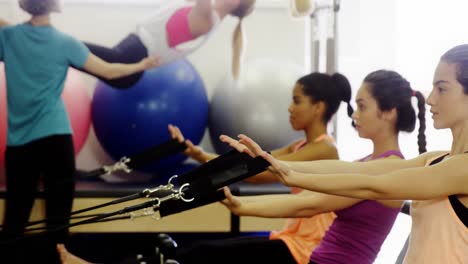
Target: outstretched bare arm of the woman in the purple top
(305,204)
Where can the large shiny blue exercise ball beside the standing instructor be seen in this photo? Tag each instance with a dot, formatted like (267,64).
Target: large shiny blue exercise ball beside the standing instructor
(129,121)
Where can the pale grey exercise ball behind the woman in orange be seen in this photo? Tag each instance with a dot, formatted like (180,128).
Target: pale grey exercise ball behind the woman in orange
(256,104)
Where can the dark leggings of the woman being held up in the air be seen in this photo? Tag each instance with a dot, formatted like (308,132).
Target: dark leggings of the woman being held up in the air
(129,50)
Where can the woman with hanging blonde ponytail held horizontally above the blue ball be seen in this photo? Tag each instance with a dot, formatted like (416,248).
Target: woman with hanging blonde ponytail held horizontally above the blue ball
(175,22)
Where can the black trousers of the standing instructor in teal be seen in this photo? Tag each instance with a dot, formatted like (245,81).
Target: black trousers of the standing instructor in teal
(53,158)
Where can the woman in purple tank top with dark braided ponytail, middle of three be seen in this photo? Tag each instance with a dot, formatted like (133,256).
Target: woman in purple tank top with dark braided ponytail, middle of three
(361,226)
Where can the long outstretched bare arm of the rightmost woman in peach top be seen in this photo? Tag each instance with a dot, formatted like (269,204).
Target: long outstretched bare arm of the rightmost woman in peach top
(423,183)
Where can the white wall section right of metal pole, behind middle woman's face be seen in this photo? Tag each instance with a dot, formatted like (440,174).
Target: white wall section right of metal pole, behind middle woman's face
(367,36)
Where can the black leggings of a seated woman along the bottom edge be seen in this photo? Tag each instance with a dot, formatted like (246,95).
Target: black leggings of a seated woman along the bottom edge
(245,250)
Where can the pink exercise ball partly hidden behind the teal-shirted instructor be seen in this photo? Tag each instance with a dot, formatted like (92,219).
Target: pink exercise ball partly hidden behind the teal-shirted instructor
(77,104)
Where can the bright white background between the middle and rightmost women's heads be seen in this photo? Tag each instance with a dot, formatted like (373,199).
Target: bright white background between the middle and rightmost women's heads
(427,29)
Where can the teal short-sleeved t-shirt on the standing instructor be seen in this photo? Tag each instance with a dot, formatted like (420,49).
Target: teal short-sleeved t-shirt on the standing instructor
(36,61)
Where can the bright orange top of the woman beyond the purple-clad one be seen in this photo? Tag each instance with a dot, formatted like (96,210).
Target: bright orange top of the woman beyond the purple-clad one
(303,235)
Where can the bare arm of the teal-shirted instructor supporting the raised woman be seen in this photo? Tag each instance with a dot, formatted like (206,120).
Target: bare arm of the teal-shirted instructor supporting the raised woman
(110,71)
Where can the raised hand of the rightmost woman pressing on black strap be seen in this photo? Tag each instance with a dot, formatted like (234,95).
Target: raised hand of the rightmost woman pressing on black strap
(247,145)
